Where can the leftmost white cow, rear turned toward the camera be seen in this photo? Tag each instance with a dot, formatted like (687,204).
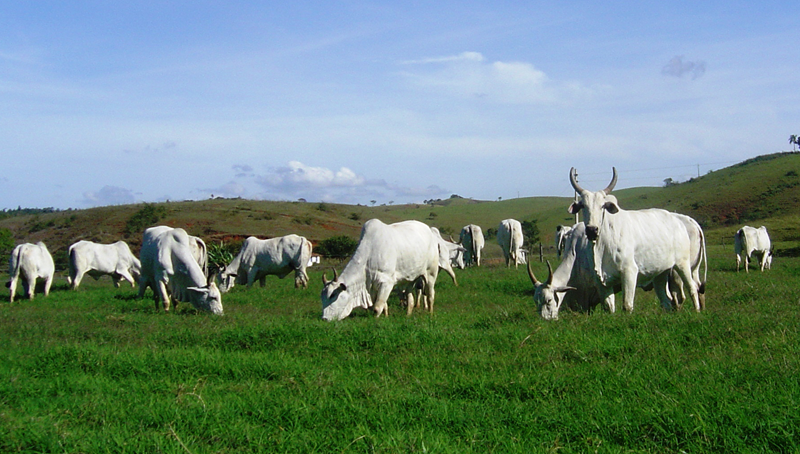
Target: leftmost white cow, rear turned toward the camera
(31,262)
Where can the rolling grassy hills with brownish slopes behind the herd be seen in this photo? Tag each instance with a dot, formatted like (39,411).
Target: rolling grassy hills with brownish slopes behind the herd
(761,191)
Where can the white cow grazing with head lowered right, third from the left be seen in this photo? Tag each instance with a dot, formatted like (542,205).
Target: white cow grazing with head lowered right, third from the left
(170,269)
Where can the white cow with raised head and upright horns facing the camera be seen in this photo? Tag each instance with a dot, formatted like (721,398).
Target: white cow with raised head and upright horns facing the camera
(634,247)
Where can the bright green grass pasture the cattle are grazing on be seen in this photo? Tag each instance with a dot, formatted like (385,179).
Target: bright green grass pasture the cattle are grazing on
(98,370)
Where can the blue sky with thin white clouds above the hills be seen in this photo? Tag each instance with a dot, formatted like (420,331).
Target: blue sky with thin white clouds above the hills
(351,101)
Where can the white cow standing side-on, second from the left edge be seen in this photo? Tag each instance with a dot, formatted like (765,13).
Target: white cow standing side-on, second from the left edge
(96,260)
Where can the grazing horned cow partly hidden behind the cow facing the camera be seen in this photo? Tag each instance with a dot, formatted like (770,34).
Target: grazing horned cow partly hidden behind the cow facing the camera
(574,282)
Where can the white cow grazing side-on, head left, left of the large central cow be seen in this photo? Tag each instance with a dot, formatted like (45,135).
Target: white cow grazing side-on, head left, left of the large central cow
(276,256)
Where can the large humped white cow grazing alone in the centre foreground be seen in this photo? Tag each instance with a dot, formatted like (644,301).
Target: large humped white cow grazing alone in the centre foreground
(404,254)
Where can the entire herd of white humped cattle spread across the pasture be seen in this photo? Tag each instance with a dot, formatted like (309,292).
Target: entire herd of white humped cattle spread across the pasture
(612,250)
